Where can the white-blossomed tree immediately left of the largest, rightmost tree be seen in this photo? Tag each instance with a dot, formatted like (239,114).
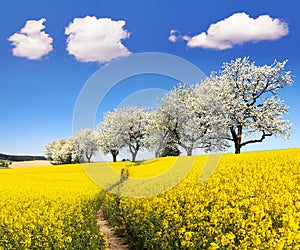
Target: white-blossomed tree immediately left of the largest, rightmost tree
(178,121)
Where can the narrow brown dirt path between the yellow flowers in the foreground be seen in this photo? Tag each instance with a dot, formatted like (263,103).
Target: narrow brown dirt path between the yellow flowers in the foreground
(113,242)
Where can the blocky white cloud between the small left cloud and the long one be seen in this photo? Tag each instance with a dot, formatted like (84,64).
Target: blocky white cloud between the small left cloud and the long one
(96,40)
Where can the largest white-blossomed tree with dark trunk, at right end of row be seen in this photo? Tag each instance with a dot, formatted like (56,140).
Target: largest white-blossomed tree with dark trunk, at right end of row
(249,97)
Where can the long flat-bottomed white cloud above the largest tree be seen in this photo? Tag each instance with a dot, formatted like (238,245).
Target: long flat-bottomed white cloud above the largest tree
(238,29)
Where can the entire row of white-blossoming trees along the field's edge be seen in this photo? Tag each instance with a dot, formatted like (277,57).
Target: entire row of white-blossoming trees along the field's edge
(239,104)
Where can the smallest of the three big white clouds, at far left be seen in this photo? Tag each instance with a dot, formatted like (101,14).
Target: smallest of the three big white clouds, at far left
(31,42)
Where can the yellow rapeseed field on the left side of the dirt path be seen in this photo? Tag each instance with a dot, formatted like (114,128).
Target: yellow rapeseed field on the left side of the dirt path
(48,208)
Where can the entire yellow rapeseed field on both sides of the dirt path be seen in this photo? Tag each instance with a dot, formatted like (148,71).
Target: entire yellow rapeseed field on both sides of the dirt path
(252,201)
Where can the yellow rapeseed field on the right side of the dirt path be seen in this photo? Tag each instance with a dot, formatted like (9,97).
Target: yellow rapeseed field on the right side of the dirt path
(252,201)
